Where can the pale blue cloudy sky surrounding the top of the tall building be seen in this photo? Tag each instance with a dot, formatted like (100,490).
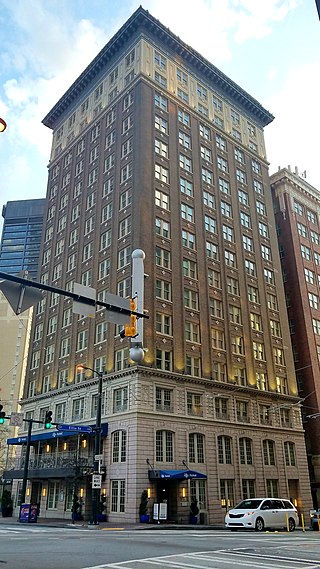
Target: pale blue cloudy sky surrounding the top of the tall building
(271,48)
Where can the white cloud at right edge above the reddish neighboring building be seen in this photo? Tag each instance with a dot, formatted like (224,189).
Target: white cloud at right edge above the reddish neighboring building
(292,139)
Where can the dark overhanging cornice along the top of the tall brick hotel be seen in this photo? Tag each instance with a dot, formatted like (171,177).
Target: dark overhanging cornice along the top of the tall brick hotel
(141,19)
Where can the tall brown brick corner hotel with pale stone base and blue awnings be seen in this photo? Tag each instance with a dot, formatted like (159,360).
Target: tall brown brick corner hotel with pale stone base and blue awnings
(154,148)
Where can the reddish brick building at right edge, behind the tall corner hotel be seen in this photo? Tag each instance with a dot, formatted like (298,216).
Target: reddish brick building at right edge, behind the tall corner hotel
(297,213)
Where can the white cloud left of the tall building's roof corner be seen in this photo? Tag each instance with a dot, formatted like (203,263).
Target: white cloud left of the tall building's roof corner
(55,51)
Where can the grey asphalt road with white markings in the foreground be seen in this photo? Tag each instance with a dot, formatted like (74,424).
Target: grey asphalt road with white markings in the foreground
(25,547)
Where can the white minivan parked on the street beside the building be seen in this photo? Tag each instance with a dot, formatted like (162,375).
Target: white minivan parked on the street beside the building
(262,513)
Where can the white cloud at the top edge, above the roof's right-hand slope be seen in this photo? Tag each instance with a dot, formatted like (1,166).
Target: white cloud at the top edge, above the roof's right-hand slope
(210,26)
